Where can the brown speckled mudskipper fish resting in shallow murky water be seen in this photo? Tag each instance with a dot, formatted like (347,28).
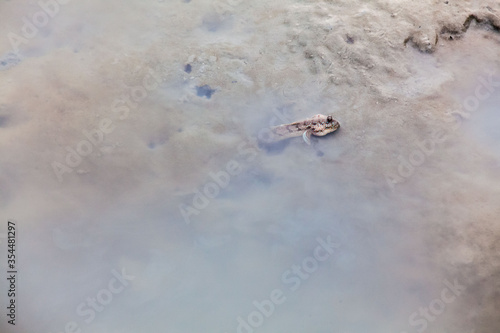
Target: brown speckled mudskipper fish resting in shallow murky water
(318,125)
